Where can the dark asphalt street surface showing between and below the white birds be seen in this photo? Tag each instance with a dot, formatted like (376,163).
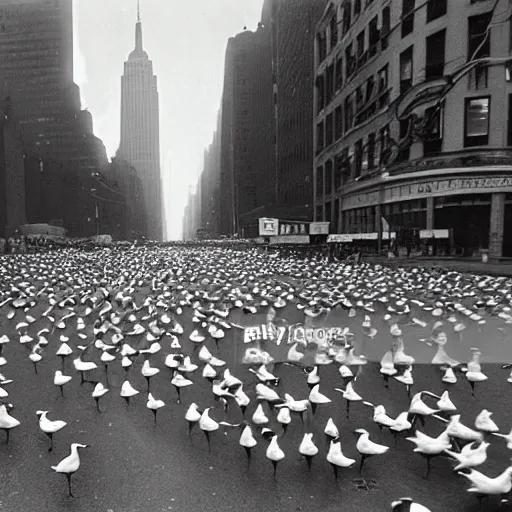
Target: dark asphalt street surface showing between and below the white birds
(134,465)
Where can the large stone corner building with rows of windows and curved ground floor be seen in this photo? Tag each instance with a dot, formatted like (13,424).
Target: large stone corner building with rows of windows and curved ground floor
(413,104)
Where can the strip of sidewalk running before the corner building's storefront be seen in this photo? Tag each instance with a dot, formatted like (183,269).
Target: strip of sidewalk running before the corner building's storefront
(471,266)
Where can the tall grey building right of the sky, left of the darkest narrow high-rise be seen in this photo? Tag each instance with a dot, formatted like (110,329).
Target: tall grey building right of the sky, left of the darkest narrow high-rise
(248,168)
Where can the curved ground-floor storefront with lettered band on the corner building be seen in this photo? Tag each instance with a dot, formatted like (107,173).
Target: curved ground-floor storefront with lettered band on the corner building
(473,204)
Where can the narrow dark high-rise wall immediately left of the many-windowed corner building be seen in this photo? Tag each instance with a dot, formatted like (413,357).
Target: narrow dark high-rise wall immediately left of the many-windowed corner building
(295,22)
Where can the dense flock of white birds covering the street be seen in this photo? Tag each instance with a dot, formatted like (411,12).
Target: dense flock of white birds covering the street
(124,333)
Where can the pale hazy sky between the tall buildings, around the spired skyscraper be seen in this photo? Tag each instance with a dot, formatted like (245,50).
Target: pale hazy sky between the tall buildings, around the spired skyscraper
(186,41)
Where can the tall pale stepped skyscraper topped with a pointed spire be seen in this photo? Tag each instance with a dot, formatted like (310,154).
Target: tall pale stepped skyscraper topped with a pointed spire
(140,130)
